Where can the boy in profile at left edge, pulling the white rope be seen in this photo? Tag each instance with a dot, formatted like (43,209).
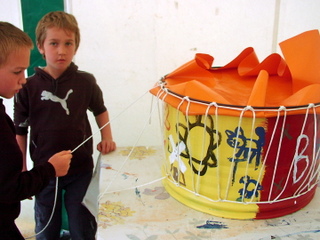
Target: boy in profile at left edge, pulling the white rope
(16,185)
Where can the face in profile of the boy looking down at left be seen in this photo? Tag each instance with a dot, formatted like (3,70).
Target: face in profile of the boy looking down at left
(12,75)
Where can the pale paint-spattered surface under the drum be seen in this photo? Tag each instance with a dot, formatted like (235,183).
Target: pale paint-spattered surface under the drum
(134,205)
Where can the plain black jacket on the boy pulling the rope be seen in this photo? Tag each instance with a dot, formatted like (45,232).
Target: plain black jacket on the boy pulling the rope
(14,184)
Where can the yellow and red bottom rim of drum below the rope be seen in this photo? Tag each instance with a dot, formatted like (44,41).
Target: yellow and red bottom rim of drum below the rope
(232,210)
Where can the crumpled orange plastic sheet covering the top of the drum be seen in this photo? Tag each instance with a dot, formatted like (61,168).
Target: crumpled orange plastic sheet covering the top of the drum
(292,81)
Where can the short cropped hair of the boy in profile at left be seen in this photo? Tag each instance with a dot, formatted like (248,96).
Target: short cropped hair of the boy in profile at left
(12,39)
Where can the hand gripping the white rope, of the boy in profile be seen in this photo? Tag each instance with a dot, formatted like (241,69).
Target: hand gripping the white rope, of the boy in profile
(61,162)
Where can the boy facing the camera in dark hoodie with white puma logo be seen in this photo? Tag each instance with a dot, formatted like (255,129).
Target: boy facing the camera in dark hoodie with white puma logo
(54,104)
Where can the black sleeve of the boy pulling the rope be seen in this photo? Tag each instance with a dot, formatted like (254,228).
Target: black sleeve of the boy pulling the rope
(14,184)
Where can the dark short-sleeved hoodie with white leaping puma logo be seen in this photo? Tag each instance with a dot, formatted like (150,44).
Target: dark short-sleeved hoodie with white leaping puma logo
(56,111)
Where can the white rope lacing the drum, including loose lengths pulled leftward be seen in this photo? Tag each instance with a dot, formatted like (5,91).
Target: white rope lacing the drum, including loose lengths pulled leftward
(162,94)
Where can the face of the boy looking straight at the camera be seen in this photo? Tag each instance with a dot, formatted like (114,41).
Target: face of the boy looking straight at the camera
(59,49)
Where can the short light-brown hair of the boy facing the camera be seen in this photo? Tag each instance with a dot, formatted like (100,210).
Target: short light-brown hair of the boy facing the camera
(57,19)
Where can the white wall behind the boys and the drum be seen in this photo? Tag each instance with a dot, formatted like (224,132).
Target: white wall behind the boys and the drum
(129,45)
